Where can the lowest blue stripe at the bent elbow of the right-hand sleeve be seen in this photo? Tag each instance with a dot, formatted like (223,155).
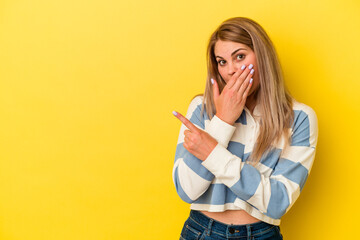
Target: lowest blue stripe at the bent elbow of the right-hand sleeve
(279,200)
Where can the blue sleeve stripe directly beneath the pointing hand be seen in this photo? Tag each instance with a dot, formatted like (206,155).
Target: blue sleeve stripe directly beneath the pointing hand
(193,162)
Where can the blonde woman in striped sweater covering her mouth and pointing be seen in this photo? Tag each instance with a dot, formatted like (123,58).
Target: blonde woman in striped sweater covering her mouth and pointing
(246,147)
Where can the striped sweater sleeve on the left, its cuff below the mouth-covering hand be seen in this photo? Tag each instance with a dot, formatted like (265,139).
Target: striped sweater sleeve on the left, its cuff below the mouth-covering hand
(190,177)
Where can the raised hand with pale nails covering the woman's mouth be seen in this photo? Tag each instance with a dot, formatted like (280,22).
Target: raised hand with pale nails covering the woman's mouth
(230,103)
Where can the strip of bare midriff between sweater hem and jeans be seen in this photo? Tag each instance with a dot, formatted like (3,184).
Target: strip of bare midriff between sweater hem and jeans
(236,217)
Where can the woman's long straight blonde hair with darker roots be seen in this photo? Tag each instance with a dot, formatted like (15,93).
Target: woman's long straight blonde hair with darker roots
(275,100)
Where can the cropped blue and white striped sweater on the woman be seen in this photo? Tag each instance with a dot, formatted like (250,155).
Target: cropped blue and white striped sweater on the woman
(225,181)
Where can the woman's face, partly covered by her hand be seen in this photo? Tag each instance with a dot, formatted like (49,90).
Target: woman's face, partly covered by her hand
(230,56)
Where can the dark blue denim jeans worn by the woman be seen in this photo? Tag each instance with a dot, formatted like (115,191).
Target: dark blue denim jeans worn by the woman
(200,227)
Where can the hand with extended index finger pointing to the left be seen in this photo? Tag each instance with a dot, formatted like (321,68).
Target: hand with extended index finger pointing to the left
(196,141)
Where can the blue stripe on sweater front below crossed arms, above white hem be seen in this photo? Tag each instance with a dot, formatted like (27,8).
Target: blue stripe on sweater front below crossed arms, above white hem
(217,194)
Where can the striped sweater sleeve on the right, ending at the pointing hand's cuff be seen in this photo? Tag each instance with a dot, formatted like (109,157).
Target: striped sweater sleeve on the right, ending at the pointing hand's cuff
(272,194)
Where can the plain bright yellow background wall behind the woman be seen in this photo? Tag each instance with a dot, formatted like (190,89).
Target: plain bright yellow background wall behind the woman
(87,138)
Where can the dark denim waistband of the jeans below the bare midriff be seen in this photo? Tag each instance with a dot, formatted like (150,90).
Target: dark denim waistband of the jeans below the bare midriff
(228,230)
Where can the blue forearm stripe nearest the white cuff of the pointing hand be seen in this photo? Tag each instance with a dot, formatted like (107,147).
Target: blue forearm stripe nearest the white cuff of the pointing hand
(248,183)
